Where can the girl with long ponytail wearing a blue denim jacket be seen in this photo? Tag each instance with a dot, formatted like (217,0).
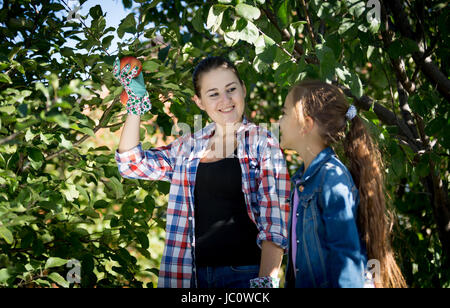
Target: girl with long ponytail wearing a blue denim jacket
(338,218)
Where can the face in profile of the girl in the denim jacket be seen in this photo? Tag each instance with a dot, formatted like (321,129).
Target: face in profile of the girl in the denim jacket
(291,125)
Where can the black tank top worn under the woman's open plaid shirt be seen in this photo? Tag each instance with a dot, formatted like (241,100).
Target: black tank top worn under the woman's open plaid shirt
(225,234)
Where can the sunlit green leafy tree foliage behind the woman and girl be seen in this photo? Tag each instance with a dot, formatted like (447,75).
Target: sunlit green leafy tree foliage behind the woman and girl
(61,196)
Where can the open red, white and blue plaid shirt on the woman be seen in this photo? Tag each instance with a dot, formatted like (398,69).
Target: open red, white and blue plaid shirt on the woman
(265,183)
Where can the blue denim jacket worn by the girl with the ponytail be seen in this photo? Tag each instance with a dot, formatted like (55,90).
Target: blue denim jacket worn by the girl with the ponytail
(329,250)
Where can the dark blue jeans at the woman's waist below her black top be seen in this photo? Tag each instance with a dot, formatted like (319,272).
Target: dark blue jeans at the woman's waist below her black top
(226,276)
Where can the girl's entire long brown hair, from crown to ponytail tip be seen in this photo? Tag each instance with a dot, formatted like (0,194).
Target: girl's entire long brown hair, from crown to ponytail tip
(327,105)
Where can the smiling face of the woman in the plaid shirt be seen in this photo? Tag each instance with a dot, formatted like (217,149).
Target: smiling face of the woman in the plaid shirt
(222,96)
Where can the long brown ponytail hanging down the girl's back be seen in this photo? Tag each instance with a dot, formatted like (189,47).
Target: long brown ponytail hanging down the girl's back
(366,167)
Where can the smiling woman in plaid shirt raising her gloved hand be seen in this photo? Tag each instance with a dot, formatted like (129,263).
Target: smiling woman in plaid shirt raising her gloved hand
(228,206)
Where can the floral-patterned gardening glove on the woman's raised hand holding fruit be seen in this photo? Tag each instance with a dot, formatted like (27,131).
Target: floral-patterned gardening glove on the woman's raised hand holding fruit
(138,100)
